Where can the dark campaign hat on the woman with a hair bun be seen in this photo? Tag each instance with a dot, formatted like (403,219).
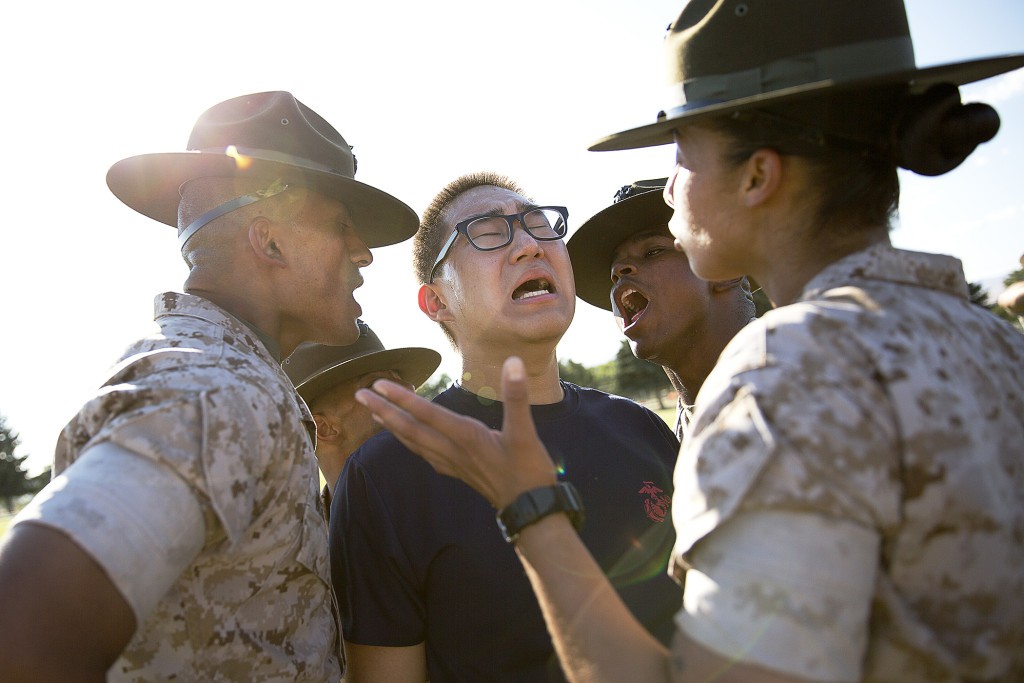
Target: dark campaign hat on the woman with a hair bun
(732,56)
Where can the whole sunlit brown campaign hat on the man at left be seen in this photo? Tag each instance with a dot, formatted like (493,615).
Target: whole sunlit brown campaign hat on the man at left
(266,136)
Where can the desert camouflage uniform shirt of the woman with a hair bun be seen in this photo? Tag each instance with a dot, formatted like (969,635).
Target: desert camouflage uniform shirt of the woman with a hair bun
(882,402)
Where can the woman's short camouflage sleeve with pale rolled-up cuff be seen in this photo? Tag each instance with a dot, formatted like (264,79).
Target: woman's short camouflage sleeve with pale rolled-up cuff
(793,423)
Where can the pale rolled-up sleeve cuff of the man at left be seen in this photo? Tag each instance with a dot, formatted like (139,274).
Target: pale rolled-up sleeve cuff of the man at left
(145,530)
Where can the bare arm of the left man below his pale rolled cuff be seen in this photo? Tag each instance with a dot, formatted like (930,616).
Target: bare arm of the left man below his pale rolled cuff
(63,619)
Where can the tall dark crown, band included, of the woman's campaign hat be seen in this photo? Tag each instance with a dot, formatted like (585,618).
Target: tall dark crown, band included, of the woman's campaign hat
(721,51)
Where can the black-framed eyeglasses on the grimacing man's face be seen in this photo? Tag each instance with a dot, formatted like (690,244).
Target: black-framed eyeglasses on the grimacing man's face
(489,233)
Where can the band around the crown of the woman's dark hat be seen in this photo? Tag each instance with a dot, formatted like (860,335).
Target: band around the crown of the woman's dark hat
(845,63)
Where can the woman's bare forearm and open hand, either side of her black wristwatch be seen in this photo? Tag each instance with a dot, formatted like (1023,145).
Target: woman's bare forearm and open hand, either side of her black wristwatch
(595,635)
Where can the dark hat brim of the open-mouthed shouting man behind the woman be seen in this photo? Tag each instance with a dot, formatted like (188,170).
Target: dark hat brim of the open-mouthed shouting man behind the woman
(594,242)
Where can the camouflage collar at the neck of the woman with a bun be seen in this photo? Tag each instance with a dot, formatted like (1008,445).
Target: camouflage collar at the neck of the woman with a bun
(884,263)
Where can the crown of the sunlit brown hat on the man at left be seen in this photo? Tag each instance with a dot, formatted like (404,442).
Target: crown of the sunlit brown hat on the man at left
(278,125)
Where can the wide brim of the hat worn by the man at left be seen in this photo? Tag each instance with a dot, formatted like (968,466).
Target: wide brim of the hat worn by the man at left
(151,185)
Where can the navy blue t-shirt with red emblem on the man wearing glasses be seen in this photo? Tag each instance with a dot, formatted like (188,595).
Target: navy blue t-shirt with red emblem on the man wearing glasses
(418,558)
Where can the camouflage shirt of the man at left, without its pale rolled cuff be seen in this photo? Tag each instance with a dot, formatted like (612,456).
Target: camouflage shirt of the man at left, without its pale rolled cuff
(206,400)
